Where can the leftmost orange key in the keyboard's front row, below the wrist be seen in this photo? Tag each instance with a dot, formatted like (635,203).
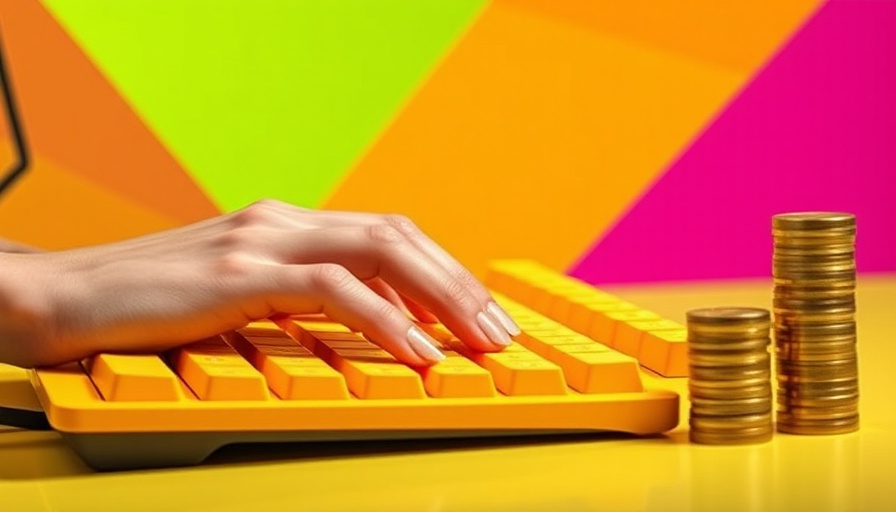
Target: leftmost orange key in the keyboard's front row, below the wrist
(125,377)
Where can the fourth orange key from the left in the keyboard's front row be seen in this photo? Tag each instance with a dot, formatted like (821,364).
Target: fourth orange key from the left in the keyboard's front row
(369,371)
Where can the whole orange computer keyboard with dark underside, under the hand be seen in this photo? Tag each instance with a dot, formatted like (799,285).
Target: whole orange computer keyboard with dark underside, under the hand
(307,378)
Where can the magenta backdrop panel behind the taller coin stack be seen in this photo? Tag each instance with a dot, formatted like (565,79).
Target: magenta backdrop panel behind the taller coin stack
(814,130)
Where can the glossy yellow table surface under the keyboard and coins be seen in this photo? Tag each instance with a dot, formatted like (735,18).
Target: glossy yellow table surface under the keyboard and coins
(853,472)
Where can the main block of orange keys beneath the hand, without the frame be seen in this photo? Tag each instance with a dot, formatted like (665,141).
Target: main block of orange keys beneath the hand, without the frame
(315,359)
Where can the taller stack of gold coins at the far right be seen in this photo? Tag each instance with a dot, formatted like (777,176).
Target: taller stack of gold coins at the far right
(814,271)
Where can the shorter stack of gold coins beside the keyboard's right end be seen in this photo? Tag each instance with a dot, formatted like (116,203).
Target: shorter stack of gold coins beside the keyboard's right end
(730,375)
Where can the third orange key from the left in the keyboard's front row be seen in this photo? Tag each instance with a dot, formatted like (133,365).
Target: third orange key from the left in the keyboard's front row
(291,370)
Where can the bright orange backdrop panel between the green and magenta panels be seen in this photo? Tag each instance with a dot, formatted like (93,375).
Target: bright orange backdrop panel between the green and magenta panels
(532,137)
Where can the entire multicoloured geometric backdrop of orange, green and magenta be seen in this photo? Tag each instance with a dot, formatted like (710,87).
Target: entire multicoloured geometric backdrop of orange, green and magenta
(619,141)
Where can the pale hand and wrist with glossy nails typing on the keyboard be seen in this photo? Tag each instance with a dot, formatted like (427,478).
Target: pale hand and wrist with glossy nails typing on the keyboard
(378,274)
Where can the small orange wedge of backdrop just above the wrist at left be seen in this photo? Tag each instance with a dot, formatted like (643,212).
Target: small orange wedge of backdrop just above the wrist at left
(54,208)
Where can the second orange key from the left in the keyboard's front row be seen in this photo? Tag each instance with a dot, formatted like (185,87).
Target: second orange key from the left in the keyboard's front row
(215,371)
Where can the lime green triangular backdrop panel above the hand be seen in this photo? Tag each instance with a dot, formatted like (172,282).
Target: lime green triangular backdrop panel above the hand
(266,98)
